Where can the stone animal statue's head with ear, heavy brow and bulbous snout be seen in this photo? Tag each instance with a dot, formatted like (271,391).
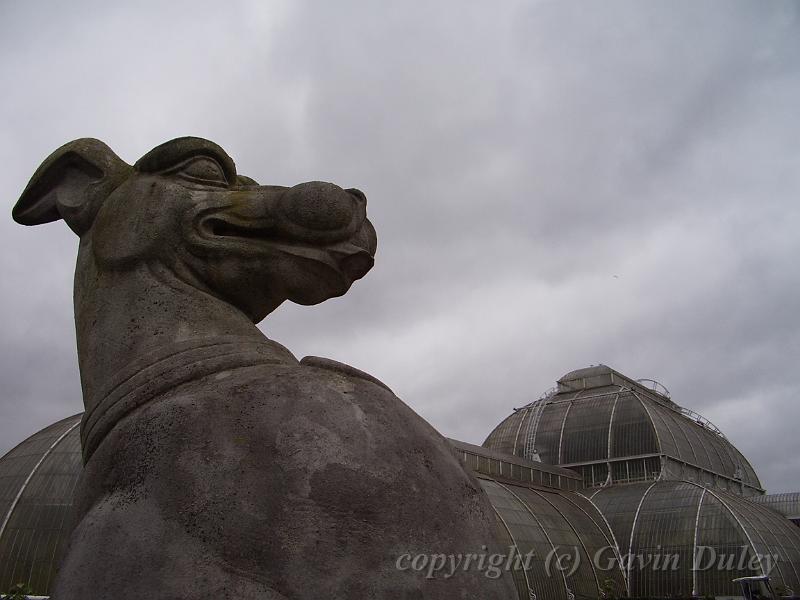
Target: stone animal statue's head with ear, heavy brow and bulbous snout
(184,206)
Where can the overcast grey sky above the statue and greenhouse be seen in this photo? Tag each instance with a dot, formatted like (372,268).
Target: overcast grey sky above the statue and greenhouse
(554,185)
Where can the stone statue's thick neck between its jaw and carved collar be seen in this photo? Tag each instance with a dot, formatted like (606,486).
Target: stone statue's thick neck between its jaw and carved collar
(128,321)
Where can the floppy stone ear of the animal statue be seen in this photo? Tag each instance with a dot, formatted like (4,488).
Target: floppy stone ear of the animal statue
(71,184)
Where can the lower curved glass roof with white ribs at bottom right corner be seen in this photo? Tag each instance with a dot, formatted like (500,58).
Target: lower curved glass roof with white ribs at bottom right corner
(681,522)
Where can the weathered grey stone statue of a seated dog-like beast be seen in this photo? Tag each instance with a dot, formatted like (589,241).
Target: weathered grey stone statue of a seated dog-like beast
(216,463)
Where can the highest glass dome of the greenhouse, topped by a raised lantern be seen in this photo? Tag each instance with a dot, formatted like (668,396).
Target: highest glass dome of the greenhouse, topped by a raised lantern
(597,414)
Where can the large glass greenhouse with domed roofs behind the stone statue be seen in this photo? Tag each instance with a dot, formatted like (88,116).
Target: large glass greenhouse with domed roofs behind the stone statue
(604,483)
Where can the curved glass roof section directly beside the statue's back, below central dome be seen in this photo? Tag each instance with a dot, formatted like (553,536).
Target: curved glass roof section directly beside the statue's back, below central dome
(541,518)
